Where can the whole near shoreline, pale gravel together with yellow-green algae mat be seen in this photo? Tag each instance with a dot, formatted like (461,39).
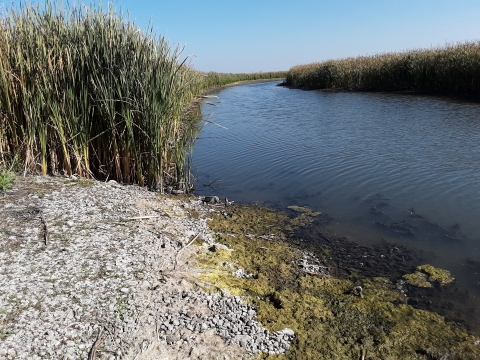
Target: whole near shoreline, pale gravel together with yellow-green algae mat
(156,276)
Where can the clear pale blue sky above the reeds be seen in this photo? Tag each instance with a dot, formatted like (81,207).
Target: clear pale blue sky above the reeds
(270,35)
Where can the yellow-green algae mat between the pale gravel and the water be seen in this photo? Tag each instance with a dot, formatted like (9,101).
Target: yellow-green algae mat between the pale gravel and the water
(330,320)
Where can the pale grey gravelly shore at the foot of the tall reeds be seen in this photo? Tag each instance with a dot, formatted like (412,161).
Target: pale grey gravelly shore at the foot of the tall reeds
(104,271)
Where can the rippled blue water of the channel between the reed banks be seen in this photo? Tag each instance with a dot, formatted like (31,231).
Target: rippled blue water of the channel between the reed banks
(369,160)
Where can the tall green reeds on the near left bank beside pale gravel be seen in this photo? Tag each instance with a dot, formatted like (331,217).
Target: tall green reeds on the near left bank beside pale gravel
(83,91)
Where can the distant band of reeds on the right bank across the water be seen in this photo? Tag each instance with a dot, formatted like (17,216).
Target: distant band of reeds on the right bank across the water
(453,68)
